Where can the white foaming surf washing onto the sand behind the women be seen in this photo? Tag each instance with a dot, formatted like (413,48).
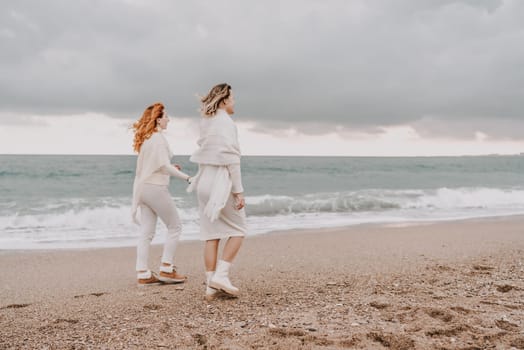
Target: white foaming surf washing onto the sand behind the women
(110,224)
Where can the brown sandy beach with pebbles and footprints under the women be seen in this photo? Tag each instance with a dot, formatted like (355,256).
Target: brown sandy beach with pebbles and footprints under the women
(448,285)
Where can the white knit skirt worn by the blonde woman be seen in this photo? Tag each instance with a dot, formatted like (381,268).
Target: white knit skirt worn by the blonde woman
(230,223)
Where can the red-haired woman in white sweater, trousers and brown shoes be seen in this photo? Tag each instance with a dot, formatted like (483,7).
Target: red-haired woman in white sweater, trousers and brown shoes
(151,195)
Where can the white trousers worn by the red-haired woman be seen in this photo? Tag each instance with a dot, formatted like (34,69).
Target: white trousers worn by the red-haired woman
(155,201)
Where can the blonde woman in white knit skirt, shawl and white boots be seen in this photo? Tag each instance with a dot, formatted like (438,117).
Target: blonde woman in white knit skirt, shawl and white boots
(219,189)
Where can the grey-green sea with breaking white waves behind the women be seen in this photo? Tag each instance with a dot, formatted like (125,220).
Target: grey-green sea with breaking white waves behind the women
(73,201)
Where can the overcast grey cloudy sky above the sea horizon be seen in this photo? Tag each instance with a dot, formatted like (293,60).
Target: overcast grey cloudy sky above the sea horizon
(333,77)
